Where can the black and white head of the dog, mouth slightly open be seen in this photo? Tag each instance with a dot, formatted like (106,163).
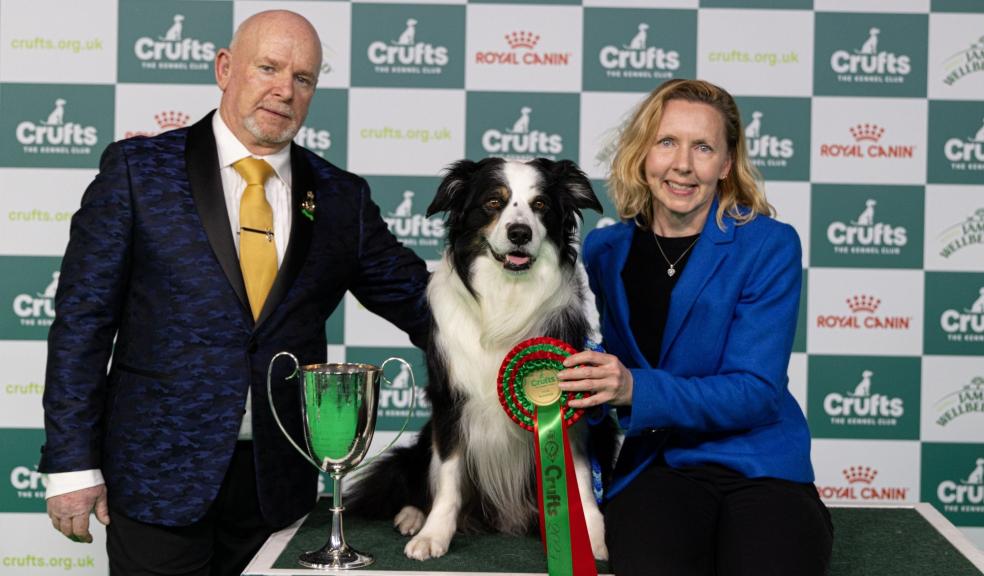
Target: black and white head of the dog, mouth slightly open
(507,210)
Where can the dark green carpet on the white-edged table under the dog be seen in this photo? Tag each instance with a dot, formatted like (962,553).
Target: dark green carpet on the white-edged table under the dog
(867,542)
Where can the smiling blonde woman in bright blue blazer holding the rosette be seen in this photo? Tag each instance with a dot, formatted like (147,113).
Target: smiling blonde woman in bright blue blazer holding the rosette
(698,289)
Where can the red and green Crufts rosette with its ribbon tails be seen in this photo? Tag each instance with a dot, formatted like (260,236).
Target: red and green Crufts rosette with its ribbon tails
(530,395)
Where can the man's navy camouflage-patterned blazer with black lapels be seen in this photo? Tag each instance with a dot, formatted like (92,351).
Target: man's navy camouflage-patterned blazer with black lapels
(152,263)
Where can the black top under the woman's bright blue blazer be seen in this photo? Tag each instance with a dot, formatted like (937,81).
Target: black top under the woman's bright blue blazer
(648,286)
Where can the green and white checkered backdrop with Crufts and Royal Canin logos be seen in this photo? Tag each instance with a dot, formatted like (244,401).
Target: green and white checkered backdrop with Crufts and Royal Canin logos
(866,118)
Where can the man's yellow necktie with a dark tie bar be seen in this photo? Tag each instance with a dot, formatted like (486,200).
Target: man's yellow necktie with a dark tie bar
(257,252)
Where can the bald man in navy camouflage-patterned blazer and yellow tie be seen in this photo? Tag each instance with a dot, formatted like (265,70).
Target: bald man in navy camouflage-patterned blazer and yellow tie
(175,254)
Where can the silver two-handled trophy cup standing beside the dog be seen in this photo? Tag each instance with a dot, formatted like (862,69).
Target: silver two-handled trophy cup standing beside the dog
(339,404)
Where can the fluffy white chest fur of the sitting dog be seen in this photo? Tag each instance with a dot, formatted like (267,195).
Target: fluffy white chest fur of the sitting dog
(474,337)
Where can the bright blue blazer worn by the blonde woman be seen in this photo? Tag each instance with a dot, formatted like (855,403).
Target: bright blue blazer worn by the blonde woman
(721,384)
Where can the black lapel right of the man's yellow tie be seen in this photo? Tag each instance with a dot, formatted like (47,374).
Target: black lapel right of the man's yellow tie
(301,226)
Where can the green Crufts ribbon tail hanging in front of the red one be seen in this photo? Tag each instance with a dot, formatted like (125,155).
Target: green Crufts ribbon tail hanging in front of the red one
(554,513)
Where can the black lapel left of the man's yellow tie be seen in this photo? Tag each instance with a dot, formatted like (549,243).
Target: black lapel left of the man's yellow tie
(202,160)
